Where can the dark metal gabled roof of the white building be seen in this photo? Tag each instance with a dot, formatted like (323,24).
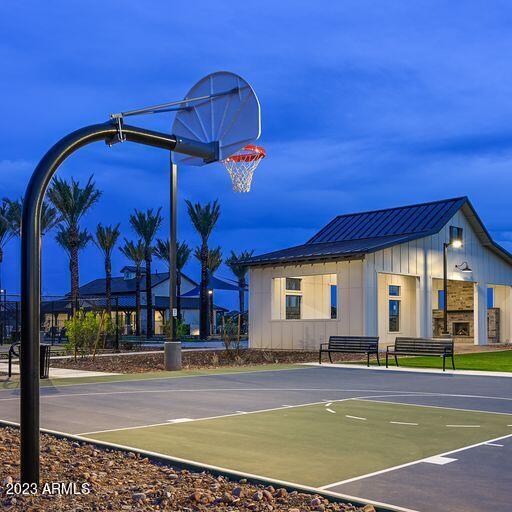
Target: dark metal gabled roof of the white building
(352,235)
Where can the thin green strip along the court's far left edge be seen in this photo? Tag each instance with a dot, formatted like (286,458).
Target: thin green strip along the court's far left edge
(14,381)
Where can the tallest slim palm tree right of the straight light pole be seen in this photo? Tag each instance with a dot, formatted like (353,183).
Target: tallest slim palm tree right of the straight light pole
(204,219)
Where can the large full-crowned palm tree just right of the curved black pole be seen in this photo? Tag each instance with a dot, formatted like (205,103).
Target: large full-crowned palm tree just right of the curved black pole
(72,202)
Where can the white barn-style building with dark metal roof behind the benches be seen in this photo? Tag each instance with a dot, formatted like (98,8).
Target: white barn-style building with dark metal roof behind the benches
(380,273)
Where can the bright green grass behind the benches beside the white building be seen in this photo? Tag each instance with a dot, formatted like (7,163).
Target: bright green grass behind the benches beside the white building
(499,361)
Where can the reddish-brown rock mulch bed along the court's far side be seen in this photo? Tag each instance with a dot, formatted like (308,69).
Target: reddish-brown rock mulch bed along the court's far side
(139,363)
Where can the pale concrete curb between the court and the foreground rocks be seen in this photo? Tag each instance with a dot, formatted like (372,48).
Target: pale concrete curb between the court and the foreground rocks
(217,471)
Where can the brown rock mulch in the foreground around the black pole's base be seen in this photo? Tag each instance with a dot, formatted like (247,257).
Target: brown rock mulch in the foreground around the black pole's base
(122,481)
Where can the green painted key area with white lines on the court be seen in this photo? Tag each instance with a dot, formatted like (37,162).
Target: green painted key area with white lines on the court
(320,444)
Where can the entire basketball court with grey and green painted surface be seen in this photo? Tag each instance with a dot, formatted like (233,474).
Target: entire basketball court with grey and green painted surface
(411,441)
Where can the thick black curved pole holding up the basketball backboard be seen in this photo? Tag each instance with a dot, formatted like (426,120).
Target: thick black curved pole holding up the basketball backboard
(110,132)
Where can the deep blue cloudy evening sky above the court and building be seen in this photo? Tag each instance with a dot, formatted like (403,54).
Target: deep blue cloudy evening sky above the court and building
(365,105)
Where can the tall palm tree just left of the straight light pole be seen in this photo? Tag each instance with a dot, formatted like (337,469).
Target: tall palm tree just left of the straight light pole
(146,225)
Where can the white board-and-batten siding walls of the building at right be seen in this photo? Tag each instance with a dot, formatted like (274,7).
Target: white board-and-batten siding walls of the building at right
(358,290)
